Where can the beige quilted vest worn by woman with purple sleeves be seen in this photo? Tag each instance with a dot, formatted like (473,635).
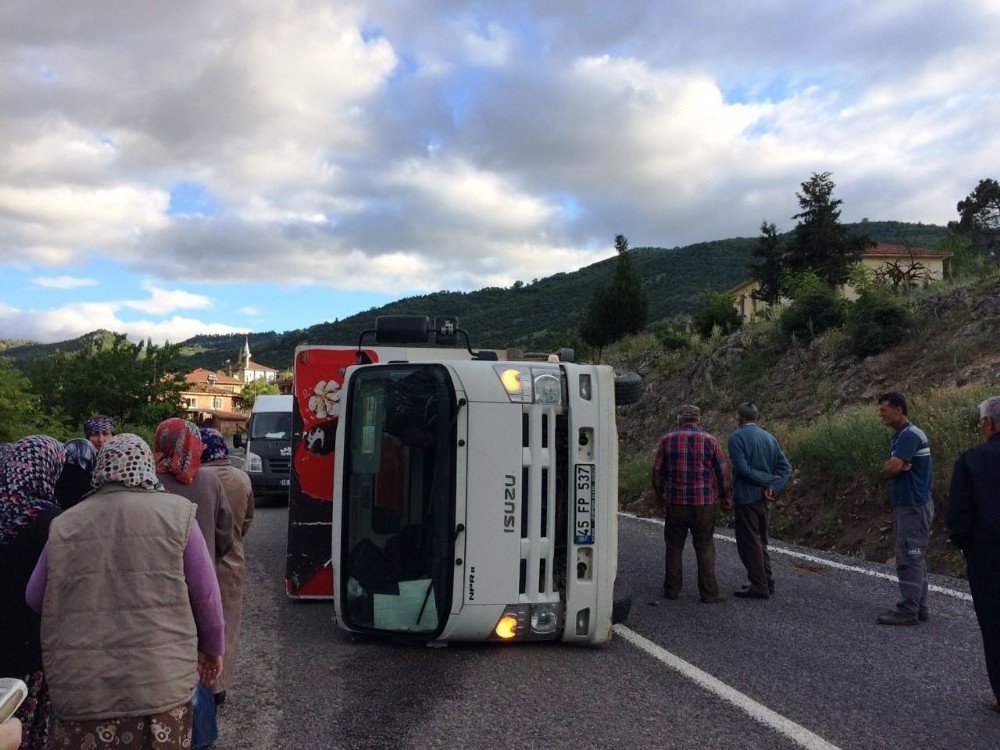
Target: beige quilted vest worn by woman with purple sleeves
(118,634)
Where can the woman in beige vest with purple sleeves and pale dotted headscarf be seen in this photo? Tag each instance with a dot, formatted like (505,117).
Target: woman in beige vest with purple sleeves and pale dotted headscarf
(131,611)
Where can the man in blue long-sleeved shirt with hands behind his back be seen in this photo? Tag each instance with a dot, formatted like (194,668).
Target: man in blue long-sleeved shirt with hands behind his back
(760,470)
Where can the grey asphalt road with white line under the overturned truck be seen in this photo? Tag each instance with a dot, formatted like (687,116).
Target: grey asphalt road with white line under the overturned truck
(807,668)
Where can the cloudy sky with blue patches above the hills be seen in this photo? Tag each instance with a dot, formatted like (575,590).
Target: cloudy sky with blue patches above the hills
(171,168)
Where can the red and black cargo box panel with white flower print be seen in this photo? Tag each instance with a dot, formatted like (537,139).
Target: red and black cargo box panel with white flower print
(318,378)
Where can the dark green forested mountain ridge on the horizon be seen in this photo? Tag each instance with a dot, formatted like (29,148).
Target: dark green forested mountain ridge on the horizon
(537,315)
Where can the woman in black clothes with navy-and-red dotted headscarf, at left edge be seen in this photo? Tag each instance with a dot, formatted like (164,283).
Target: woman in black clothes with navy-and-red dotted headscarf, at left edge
(28,473)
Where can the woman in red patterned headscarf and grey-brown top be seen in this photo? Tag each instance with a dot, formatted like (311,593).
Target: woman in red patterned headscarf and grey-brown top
(177,451)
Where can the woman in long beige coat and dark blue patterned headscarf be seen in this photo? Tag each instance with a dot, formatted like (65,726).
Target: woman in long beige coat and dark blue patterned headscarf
(230,569)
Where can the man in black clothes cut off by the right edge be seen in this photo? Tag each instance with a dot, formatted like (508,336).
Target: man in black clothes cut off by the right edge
(973,520)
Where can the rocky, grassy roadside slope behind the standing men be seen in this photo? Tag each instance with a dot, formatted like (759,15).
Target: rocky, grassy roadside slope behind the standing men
(820,403)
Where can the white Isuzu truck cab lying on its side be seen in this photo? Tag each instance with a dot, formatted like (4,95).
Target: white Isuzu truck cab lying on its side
(475,499)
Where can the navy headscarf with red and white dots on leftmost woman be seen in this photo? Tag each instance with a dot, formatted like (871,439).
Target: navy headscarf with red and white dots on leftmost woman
(28,477)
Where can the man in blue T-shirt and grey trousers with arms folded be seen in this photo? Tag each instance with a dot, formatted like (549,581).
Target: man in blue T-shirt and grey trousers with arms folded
(911,475)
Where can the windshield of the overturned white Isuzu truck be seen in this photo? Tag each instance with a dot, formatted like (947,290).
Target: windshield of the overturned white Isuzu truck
(399,499)
